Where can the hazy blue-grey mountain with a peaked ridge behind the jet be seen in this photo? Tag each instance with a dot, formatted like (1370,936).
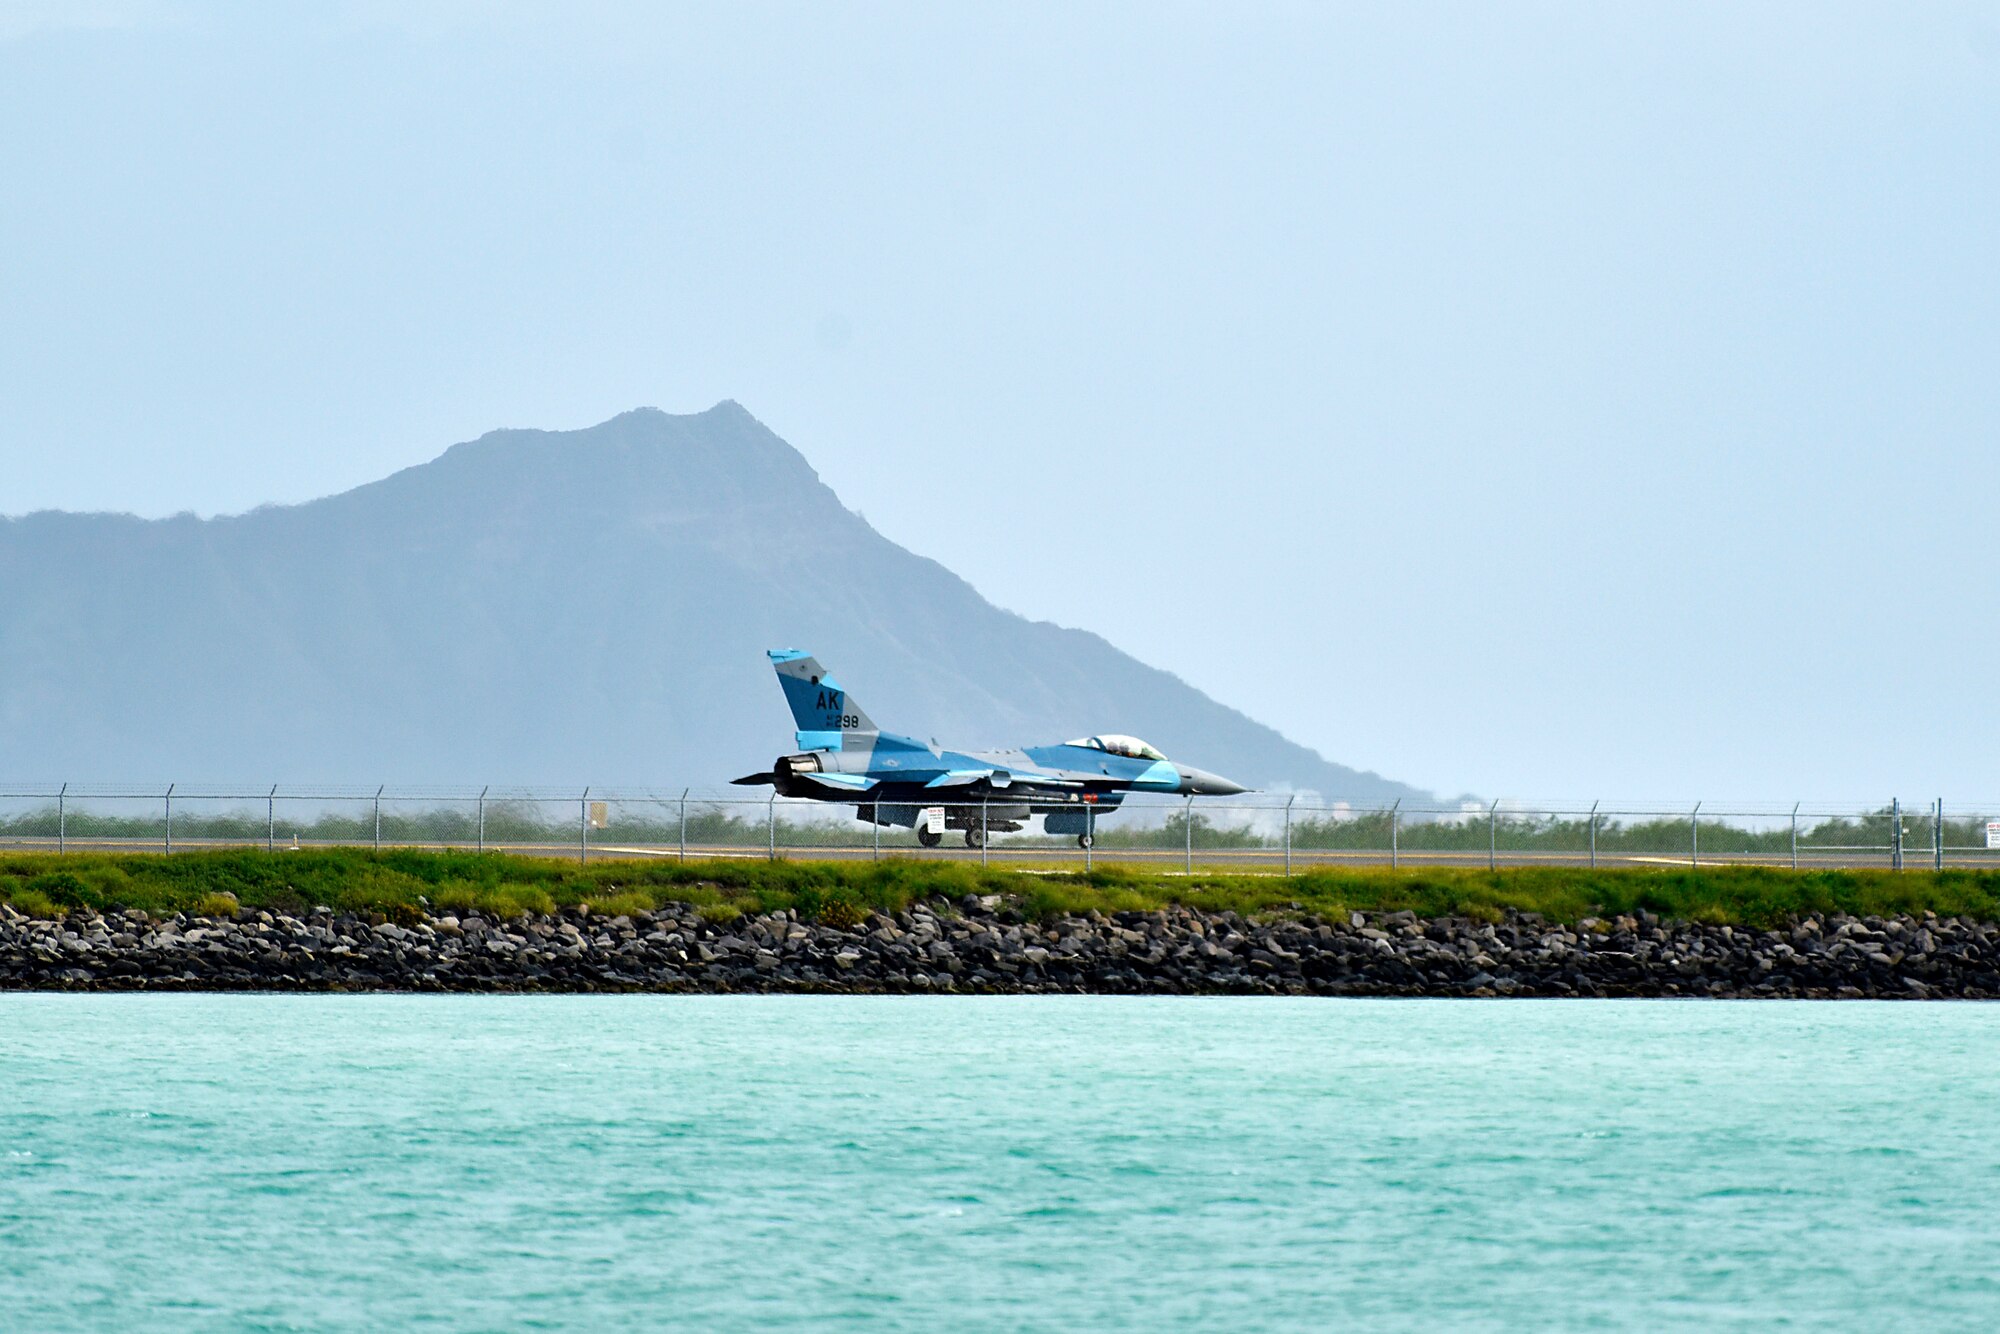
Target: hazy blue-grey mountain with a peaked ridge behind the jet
(533,605)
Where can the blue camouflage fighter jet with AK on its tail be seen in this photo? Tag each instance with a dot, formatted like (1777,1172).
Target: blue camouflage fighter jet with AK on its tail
(893,779)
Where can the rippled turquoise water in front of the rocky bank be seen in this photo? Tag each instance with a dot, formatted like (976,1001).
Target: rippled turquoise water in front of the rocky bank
(993,1163)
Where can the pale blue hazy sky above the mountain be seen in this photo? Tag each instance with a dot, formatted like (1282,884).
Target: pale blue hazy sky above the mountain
(1525,399)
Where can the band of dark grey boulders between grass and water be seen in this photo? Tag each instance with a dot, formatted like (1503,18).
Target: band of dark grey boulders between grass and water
(981,947)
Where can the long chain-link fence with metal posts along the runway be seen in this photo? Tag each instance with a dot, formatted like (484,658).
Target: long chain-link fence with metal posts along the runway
(1249,833)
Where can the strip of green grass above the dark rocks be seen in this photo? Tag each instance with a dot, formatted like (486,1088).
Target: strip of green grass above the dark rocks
(405,883)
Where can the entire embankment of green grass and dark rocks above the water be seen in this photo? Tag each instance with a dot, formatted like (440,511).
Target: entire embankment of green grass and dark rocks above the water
(421,921)
